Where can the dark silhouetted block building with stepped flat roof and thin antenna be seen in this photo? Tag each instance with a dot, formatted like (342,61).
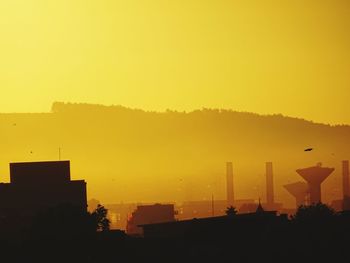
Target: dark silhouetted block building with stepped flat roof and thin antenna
(35,186)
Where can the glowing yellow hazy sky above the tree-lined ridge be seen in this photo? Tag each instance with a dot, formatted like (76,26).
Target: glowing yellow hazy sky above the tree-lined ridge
(290,56)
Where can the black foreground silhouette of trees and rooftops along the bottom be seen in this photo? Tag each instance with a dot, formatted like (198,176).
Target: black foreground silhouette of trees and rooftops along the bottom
(65,234)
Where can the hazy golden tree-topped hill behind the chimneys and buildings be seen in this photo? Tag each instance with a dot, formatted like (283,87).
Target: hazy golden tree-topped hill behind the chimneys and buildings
(133,155)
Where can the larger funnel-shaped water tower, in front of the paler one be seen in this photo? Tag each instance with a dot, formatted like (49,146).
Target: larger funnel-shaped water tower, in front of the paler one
(314,176)
